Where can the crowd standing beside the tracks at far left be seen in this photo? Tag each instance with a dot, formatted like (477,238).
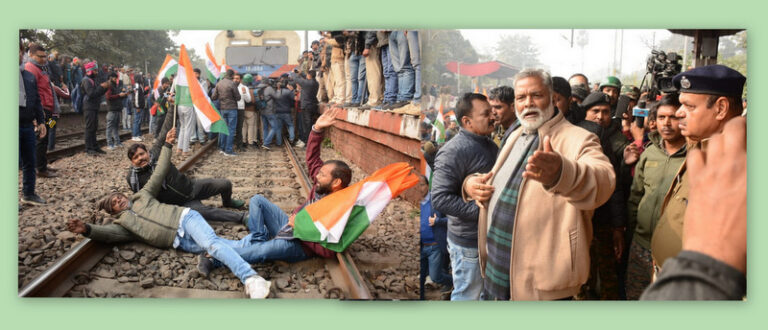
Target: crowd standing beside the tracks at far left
(83,87)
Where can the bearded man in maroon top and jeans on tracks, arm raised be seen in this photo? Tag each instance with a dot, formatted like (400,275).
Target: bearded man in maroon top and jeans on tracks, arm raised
(272,229)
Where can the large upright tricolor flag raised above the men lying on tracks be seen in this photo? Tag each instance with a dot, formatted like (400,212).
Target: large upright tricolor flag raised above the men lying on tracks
(190,91)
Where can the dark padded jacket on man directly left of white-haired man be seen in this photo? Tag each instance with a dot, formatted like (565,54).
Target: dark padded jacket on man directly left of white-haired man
(465,154)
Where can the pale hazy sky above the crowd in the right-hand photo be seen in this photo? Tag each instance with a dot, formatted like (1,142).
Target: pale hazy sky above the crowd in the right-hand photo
(556,53)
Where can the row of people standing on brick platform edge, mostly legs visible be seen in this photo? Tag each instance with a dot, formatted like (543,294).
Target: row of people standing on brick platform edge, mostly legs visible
(367,69)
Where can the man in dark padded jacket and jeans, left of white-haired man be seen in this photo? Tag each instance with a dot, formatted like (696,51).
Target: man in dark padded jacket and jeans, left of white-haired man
(471,151)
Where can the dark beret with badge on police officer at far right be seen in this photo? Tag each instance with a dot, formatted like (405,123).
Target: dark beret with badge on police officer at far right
(711,79)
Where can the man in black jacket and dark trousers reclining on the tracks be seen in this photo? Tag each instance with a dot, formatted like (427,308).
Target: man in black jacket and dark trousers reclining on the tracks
(177,188)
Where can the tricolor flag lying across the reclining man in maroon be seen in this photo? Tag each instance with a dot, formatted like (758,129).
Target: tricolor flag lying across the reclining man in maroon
(338,219)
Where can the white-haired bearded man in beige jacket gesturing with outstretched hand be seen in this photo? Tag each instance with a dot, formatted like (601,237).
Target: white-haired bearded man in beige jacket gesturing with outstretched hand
(536,204)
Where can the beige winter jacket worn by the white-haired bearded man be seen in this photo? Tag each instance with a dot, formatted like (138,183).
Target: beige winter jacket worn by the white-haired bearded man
(553,227)
